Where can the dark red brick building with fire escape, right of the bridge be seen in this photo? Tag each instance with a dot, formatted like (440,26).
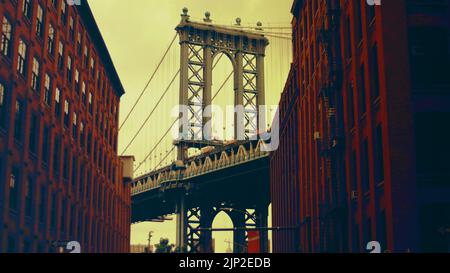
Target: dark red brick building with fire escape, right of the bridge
(363,153)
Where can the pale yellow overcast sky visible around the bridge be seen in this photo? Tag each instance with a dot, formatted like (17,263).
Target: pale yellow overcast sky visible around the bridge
(137,32)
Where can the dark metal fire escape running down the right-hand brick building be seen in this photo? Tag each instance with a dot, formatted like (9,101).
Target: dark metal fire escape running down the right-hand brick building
(331,144)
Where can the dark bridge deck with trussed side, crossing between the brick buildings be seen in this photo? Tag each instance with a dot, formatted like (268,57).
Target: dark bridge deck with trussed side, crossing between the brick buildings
(237,174)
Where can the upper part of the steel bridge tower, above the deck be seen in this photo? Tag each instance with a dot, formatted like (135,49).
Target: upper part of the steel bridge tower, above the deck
(200,43)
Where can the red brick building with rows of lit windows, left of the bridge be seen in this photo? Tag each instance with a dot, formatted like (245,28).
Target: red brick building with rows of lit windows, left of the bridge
(60,176)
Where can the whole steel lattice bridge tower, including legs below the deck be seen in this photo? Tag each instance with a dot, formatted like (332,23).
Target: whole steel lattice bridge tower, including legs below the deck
(200,43)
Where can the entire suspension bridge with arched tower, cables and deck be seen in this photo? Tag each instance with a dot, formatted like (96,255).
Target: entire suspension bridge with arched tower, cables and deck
(191,159)
